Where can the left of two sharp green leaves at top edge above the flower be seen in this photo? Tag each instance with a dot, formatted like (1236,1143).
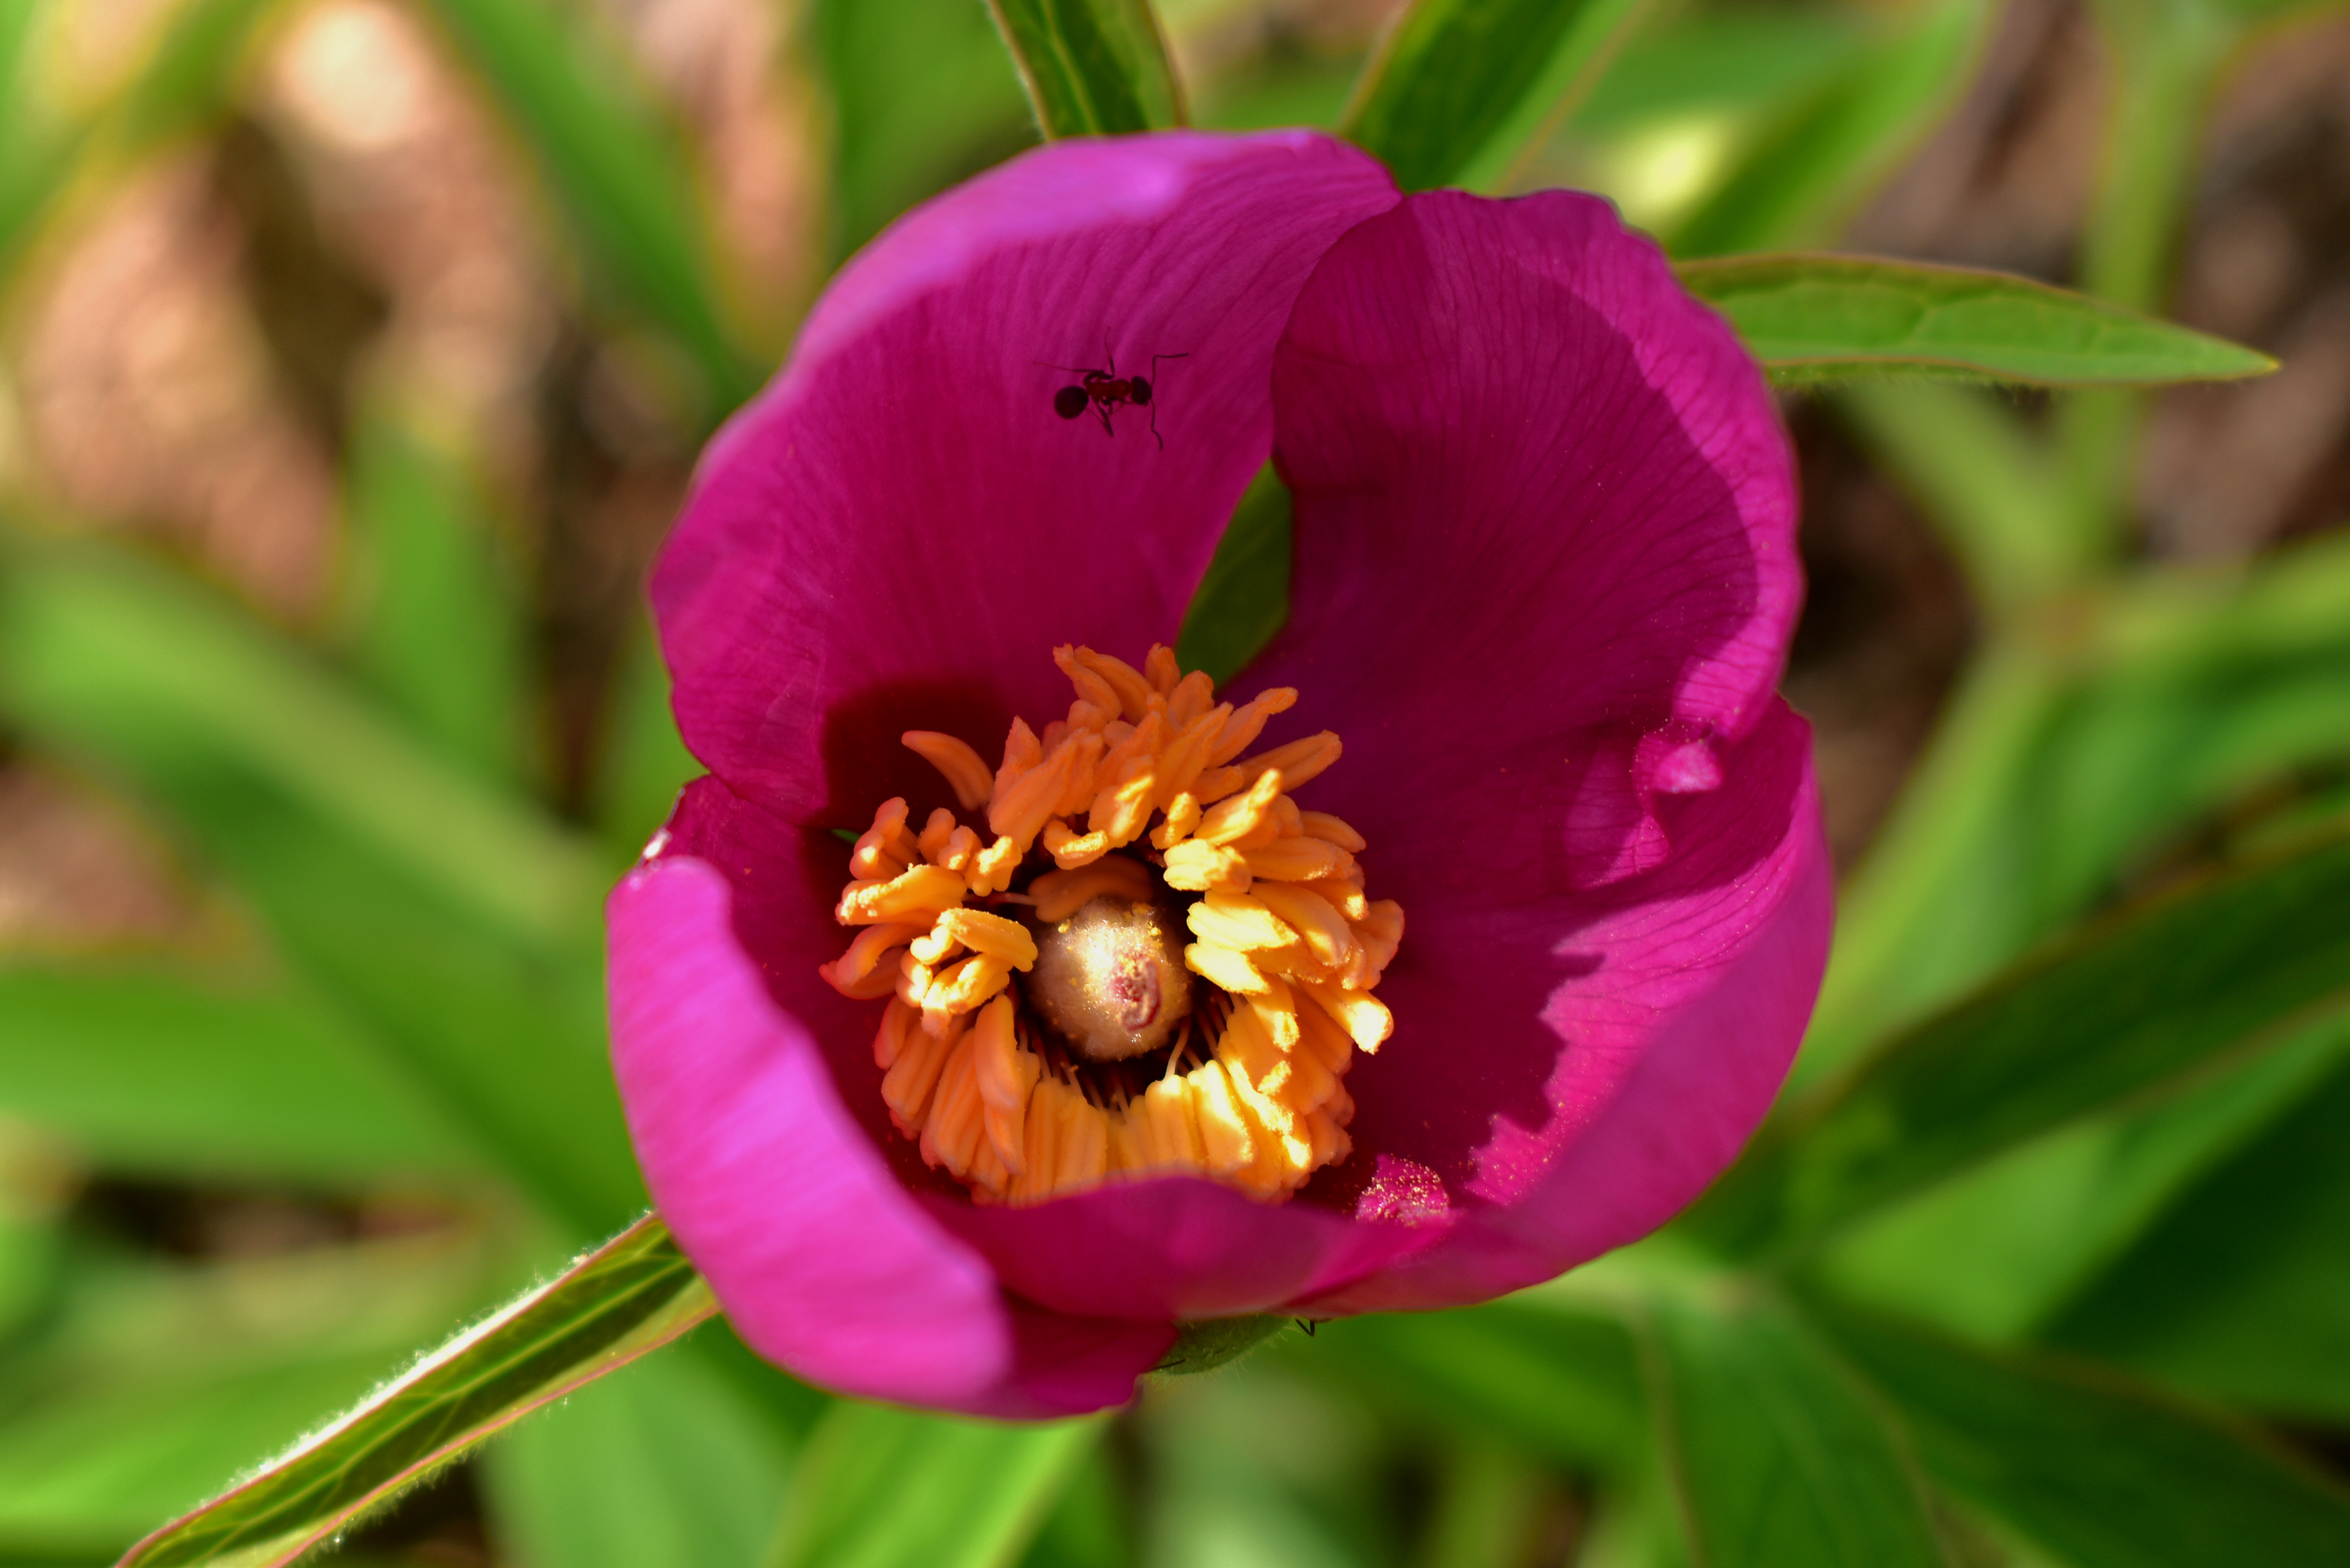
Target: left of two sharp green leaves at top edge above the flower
(1092,67)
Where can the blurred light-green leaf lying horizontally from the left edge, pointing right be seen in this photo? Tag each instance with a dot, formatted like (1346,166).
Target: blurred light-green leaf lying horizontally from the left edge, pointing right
(163,1073)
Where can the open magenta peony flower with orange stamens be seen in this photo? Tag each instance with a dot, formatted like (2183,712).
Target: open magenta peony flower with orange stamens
(1566,838)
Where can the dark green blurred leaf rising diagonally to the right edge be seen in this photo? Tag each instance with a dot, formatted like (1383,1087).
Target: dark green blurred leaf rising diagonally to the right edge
(2109,1017)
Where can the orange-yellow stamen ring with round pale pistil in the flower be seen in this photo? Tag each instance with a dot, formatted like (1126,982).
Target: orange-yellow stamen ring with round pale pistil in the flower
(1122,1050)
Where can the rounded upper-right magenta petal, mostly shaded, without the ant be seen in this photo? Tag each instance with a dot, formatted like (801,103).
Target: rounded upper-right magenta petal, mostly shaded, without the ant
(1529,462)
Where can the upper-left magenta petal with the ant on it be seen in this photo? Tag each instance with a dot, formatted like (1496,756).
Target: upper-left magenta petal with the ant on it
(901,528)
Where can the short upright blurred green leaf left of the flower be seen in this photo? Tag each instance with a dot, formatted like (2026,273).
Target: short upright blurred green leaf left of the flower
(438,629)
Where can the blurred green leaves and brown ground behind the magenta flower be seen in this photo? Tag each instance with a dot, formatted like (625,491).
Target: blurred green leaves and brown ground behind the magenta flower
(354,356)
